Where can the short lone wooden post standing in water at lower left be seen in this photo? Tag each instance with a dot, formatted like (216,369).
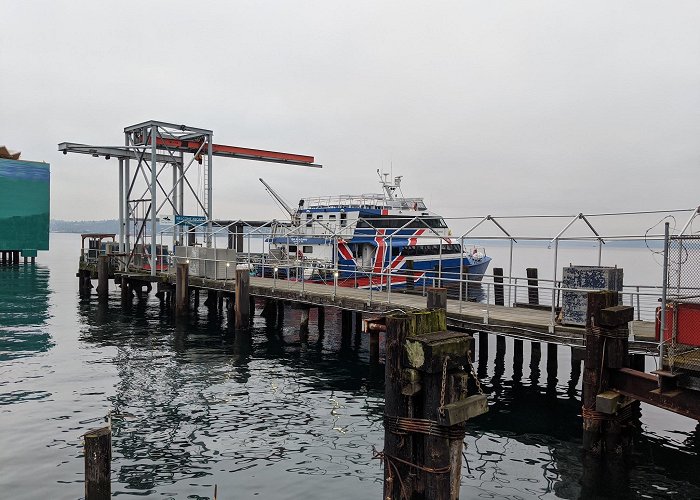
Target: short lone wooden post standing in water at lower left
(98,461)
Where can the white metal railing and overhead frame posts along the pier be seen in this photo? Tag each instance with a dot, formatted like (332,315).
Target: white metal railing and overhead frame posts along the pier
(259,253)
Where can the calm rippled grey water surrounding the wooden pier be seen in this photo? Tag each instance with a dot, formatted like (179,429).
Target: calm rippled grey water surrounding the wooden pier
(267,415)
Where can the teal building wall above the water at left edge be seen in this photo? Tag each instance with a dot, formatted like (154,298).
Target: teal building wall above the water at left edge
(24,206)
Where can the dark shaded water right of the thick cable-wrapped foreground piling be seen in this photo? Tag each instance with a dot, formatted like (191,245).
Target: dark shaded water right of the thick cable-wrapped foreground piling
(529,443)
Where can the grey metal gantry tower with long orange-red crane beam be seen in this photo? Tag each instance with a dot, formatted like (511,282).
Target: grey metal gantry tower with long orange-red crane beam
(171,164)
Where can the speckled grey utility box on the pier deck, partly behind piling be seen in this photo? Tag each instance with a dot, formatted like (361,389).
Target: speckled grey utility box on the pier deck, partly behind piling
(574,304)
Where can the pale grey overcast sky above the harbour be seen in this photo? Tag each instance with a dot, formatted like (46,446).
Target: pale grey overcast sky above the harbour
(483,107)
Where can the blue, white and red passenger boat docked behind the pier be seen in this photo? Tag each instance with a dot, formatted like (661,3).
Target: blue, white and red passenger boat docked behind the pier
(369,240)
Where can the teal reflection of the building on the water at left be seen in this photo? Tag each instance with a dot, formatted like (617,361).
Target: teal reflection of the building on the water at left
(24,311)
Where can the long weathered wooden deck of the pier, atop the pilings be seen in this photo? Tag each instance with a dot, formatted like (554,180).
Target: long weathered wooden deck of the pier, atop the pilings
(529,324)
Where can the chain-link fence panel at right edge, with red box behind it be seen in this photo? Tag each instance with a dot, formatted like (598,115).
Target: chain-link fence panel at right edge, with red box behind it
(682,318)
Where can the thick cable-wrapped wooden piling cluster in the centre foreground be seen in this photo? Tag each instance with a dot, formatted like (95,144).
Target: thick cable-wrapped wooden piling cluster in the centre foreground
(425,406)
